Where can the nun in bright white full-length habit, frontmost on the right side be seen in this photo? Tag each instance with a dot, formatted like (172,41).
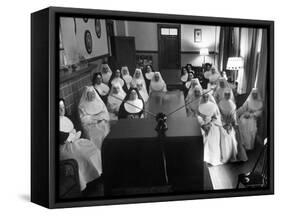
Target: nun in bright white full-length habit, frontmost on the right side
(210,121)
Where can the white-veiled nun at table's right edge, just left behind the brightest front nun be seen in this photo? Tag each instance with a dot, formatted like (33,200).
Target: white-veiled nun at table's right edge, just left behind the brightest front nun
(193,101)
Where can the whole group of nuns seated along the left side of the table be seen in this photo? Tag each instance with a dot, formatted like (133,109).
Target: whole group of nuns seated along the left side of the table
(112,96)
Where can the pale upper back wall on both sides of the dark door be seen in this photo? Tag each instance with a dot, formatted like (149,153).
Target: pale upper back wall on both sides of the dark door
(146,40)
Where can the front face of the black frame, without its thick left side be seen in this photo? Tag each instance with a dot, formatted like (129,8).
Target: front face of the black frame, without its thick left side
(53,90)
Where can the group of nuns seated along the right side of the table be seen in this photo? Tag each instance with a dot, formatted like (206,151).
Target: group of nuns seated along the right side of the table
(227,132)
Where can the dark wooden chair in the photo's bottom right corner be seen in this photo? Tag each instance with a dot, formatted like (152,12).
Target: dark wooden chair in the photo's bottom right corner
(256,178)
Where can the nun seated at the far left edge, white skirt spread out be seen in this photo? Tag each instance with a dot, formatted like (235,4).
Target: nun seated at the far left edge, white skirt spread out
(85,152)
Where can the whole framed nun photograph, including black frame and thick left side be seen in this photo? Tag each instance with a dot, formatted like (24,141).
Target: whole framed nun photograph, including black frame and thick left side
(103,134)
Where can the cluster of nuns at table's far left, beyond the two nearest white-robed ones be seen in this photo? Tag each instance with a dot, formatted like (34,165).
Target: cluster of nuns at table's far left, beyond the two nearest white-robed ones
(123,95)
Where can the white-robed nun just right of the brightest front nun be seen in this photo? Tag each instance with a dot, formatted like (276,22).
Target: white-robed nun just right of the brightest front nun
(229,145)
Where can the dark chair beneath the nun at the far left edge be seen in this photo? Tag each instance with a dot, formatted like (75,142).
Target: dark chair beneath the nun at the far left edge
(69,183)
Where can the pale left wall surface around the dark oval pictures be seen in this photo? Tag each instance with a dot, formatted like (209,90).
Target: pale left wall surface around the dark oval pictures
(74,44)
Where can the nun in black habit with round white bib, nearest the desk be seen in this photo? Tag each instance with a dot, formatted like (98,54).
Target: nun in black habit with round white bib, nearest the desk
(132,106)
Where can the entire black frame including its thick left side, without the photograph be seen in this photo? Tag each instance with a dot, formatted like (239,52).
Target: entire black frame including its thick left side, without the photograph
(45,97)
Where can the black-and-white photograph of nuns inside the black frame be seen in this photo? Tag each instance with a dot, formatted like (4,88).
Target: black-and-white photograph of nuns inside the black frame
(161,108)
